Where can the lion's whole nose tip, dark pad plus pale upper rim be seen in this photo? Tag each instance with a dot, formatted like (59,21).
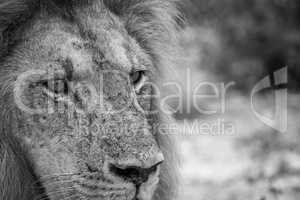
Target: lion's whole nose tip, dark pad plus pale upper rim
(135,172)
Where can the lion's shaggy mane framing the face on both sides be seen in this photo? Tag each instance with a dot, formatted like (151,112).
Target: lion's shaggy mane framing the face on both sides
(153,23)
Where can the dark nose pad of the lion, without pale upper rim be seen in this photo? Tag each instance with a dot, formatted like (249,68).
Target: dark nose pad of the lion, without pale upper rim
(136,175)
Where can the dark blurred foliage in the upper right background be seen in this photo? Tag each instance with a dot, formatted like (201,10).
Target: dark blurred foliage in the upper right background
(257,36)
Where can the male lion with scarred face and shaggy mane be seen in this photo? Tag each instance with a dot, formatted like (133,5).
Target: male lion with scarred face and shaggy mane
(78,114)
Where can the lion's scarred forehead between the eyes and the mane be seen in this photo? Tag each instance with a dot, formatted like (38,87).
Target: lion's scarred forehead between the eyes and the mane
(88,42)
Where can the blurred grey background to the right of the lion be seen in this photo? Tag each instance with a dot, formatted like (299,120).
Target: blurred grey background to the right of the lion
(238,42)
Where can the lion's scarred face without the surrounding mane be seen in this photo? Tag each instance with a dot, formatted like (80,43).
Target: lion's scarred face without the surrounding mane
(81,95)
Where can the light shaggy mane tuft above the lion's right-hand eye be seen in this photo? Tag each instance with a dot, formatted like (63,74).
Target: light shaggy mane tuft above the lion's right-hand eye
(154,24)
